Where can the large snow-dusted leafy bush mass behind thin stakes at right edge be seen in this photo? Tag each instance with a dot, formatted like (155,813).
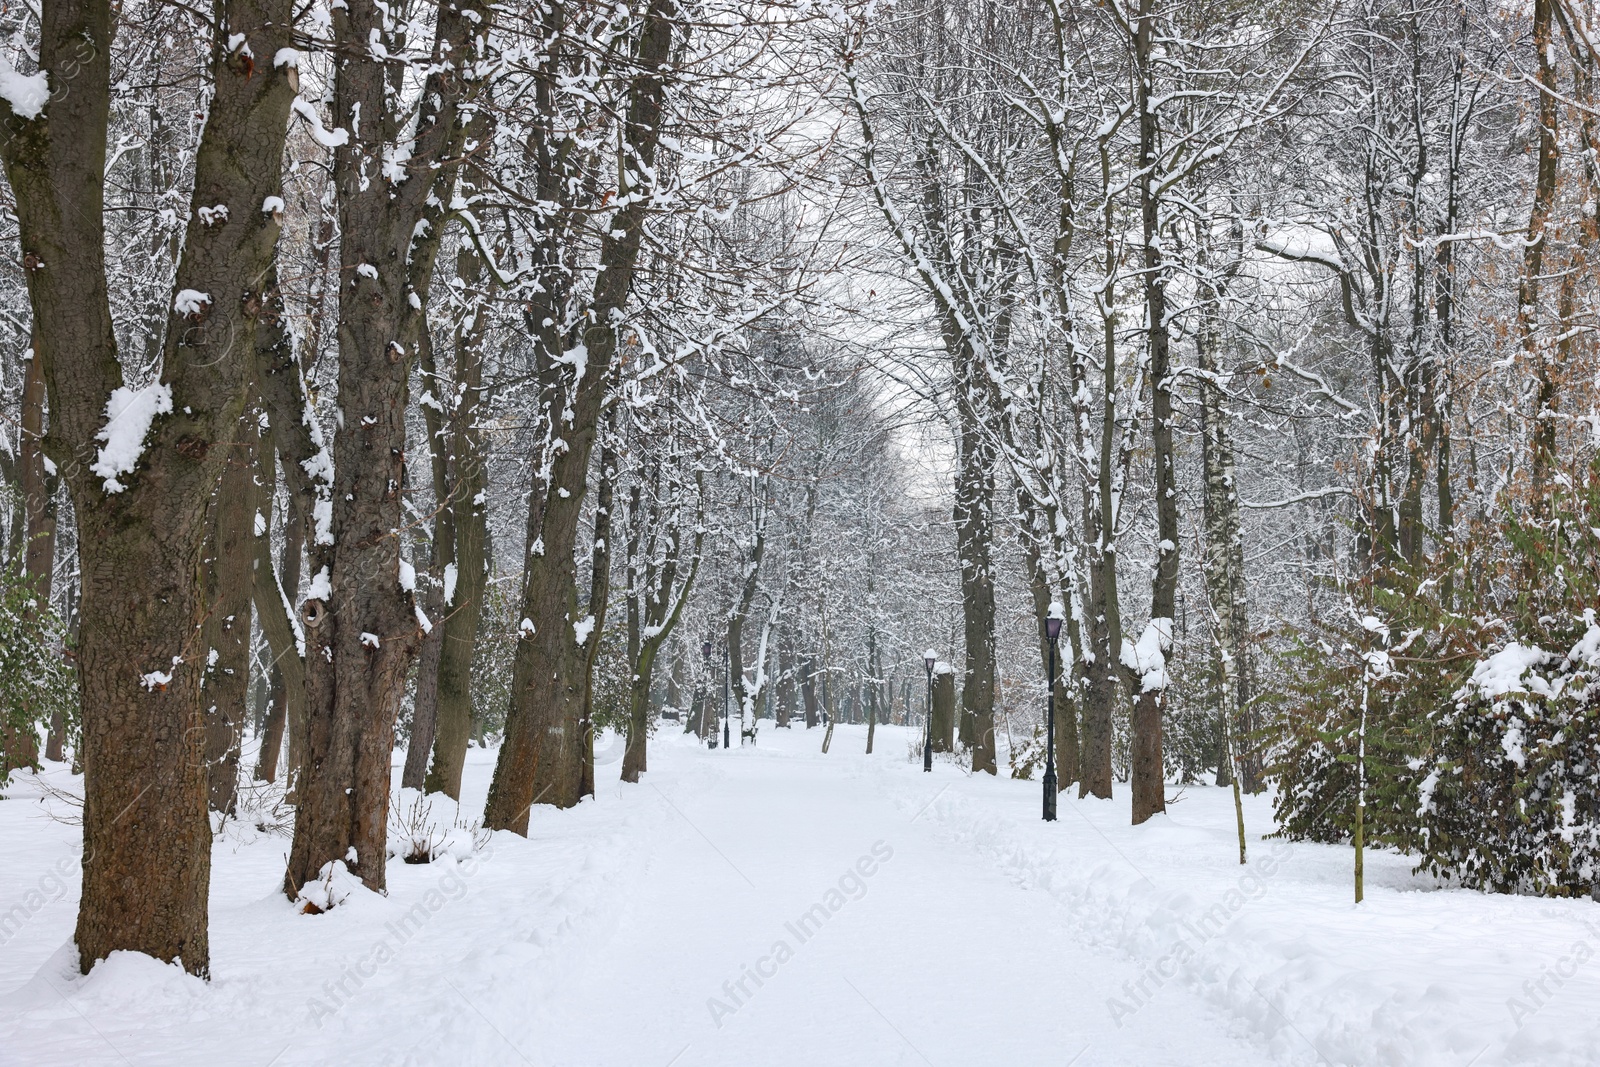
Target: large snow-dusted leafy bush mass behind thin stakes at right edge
(1482,730)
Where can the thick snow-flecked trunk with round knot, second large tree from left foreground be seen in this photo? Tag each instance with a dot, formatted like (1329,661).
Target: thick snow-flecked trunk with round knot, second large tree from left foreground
(364,631)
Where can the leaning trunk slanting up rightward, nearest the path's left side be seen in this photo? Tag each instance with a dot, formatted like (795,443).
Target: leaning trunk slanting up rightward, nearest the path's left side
(540,761)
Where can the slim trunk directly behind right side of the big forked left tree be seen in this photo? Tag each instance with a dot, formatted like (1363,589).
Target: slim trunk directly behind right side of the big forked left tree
(226,687)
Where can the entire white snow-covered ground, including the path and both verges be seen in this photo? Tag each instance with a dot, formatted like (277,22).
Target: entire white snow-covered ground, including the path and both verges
(778,906)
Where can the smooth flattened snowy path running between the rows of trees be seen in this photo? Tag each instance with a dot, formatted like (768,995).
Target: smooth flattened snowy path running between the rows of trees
(930,959)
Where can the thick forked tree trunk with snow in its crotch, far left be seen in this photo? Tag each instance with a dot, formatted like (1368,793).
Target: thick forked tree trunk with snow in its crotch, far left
(146,836)
